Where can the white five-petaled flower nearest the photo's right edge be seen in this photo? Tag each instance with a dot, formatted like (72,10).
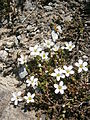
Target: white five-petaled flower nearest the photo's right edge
(81,65)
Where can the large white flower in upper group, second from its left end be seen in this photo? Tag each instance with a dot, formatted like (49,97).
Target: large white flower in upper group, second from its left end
(35,50)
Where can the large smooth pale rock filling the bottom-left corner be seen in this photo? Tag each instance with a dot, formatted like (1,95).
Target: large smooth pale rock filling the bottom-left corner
(7,111)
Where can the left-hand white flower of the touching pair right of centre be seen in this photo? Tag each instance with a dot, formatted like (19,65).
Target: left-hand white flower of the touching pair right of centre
(58,73)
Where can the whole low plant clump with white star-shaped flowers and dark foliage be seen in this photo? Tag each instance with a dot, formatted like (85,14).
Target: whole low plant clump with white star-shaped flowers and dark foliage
(56,81)
